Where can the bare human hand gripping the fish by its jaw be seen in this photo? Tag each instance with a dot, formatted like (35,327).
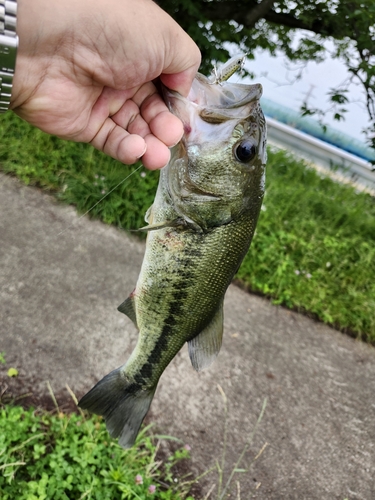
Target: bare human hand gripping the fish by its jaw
(84,72)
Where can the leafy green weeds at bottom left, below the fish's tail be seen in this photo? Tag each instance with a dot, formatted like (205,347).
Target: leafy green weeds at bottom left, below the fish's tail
(70,457)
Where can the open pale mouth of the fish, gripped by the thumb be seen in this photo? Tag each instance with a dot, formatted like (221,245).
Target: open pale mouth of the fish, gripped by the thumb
(213,102)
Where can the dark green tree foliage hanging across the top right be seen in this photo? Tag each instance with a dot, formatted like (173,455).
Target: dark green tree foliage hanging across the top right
(300,29)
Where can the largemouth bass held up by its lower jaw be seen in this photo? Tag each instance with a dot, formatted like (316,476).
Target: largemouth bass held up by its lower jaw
(199,229)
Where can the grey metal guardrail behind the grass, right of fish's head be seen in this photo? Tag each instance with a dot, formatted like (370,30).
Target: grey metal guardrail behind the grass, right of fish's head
(342,166)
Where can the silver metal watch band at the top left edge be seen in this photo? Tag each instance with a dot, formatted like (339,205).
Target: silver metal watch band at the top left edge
(8,50)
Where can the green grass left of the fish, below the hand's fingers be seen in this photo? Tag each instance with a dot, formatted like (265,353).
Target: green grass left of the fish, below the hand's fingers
(77,173)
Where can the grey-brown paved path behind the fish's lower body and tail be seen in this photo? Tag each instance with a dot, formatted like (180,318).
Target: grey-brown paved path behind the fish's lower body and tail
(61,281)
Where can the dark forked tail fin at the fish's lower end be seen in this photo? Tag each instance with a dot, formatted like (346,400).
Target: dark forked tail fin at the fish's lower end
(122,403)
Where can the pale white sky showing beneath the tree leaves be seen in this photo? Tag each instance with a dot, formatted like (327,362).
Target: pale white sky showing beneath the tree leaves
(278,77)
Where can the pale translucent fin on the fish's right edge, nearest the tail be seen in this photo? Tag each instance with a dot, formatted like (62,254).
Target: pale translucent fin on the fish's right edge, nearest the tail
(204,348)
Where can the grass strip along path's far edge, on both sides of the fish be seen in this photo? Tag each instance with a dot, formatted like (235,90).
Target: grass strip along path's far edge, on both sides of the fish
(314,248)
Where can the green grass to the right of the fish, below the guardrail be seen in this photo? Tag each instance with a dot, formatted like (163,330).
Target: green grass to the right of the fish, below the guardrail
(315,248)
